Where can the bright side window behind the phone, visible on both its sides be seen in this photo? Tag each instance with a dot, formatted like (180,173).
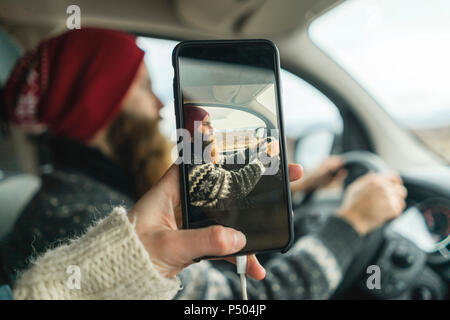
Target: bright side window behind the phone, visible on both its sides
(311,120)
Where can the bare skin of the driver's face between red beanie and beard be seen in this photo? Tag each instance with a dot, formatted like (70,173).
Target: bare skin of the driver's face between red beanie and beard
(140,99)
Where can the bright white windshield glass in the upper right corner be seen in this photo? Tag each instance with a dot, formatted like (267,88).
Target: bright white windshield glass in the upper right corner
(399,51)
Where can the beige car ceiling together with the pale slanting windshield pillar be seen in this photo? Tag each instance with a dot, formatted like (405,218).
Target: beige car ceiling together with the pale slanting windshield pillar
(283,21)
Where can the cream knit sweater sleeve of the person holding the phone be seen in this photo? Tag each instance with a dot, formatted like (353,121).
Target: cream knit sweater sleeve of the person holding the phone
(112,264)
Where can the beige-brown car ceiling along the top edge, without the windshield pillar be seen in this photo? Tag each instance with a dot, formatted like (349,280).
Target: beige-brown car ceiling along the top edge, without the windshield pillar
(174,18)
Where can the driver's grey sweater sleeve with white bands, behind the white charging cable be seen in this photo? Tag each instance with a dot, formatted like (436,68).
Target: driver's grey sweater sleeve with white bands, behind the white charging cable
(312,269)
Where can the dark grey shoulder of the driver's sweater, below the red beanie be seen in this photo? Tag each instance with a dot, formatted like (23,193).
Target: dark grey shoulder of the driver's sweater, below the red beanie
(83,187)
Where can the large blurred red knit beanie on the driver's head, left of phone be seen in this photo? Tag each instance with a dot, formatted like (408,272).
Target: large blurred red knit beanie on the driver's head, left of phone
(73,84)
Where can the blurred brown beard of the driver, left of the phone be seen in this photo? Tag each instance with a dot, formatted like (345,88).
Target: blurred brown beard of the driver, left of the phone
(140,148)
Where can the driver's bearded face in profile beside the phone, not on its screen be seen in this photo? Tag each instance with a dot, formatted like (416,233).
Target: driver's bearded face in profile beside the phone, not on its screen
(134,137)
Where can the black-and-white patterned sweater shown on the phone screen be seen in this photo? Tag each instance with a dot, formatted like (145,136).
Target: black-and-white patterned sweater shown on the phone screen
(209,183)
